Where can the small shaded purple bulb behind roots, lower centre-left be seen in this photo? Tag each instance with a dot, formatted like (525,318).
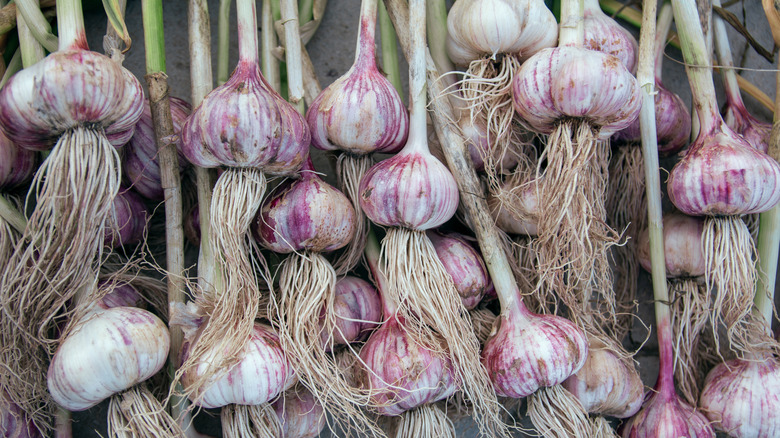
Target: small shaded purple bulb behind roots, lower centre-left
(357,309)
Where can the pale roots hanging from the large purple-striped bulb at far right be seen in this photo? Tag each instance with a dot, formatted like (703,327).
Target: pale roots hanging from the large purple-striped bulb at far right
(730,257)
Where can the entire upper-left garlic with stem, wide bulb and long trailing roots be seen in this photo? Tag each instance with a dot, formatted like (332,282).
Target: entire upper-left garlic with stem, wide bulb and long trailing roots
(85,105)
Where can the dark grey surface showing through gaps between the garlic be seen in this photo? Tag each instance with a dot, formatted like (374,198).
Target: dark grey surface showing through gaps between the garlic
(332,51)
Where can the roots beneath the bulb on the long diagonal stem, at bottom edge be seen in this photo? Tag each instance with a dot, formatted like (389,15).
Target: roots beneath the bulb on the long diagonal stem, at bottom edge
(556,413)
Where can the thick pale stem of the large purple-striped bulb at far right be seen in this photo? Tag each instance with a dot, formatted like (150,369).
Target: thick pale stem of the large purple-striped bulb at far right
(697,60)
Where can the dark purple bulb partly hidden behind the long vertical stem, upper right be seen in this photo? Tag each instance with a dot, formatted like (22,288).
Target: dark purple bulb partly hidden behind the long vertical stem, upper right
(672,123)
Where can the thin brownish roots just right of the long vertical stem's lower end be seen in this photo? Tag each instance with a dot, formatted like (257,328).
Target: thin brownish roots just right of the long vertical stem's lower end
(690,312)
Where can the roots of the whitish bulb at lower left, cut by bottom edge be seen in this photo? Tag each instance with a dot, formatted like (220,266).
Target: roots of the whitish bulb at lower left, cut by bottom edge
(135,413)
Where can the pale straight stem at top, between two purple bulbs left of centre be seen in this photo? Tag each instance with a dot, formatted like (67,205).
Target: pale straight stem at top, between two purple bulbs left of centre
(292,52)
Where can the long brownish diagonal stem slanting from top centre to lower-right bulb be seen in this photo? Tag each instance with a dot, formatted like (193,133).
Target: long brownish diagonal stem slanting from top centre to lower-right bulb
(459,163)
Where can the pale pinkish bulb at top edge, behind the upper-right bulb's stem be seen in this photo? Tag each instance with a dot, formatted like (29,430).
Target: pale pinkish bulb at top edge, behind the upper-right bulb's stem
(604,34)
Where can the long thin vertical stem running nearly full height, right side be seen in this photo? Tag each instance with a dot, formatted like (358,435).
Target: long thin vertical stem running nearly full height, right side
(645,75)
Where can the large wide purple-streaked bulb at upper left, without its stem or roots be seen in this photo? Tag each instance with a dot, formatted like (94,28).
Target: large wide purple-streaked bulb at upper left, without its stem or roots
(68,89)
